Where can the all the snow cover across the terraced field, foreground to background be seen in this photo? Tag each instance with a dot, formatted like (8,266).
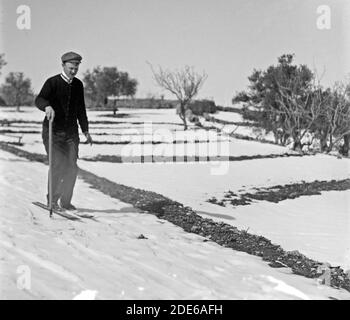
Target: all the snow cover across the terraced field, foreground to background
(318,226)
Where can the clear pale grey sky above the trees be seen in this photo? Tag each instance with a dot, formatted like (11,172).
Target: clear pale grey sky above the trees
(227,39)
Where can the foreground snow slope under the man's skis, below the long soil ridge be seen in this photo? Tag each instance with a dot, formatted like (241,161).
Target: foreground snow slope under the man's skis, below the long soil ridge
(43,258)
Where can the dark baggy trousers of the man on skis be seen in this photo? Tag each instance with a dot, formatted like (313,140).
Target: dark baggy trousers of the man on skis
(65,149)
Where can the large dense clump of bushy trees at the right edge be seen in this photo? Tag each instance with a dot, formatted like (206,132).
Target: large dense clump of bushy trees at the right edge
(288,100)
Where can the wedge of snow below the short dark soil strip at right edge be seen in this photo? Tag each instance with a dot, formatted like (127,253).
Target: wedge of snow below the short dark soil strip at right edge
(320,225)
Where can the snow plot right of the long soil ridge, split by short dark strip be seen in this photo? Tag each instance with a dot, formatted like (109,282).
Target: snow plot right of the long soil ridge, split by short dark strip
(318,226)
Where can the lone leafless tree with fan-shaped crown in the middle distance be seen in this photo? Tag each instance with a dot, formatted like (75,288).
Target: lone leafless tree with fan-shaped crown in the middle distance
(184,84)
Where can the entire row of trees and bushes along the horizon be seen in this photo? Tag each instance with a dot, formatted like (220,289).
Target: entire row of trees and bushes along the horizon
(286,99)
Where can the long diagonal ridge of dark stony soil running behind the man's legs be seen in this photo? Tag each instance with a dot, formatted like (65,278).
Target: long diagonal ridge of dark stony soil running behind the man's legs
(221,233)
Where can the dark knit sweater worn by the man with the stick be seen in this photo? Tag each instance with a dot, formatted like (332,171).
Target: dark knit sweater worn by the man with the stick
(68,102)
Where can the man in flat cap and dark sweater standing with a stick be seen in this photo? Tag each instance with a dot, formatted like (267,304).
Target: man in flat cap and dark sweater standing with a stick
(62,99)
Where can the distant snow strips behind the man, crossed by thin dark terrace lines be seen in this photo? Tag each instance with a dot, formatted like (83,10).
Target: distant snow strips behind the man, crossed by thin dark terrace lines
(156,127)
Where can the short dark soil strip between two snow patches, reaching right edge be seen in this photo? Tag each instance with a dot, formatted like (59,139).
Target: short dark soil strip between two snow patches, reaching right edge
(279,193)
